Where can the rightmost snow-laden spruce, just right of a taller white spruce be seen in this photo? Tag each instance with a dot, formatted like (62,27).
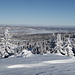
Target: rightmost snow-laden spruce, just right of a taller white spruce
(67,47)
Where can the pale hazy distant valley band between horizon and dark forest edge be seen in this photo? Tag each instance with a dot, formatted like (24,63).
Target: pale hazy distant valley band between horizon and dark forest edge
(37,30)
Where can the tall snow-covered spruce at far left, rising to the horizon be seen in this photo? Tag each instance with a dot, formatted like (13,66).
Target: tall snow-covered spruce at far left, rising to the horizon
(6,50)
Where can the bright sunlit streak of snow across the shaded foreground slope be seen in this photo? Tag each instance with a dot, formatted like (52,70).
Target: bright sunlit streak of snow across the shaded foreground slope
(45,63)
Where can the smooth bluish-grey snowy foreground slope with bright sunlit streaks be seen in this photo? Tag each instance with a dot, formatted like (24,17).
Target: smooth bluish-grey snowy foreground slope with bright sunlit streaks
(38,65)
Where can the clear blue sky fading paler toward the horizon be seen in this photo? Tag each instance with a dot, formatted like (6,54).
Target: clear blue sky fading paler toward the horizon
(37,12)
